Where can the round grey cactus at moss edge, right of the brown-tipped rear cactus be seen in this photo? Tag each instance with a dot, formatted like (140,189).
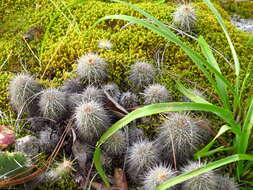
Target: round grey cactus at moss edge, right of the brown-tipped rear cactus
(141,74)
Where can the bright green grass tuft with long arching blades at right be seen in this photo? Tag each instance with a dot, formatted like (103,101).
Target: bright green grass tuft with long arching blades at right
(237,115)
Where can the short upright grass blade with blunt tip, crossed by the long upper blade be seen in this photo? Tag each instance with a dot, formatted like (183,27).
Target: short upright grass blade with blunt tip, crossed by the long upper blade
(222,89)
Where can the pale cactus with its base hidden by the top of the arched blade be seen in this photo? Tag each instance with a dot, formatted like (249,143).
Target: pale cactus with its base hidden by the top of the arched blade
(156,93)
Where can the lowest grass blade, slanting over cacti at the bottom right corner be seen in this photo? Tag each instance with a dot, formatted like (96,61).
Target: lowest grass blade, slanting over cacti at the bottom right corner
(206,168)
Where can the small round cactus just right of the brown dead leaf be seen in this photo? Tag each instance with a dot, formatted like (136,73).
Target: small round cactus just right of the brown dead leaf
(128,100)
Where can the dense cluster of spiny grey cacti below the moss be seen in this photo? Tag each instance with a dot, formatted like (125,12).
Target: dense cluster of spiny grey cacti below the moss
(90,102)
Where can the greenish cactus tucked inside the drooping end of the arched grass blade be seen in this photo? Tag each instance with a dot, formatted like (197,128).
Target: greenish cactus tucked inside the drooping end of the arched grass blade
(116,144)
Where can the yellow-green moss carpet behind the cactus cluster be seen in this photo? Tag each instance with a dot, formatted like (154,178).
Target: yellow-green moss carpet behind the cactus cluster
(63,44)
